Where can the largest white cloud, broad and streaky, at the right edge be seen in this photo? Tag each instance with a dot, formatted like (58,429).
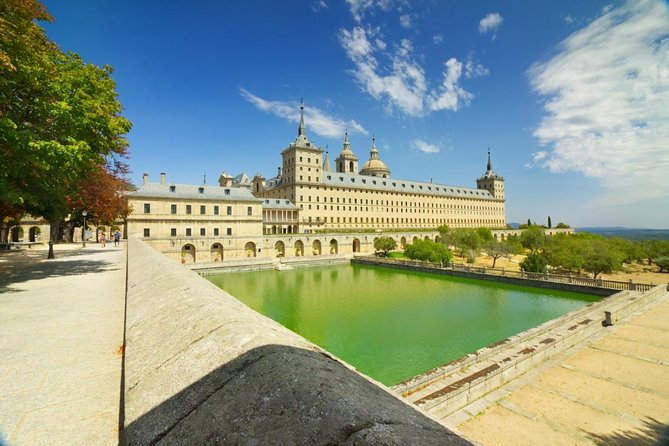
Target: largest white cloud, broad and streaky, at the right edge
(607,103)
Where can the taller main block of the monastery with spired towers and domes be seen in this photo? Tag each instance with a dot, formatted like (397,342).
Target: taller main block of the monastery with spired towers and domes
(370,199)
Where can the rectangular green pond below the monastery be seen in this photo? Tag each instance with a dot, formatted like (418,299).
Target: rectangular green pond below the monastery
(390,324)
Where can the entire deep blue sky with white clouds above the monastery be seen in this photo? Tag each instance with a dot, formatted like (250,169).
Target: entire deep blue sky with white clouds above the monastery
(572,97)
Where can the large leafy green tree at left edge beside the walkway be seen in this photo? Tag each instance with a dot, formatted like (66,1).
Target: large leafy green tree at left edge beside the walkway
(59,118)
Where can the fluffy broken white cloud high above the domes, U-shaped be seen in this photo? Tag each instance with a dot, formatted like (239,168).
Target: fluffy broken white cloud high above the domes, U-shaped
(401,82)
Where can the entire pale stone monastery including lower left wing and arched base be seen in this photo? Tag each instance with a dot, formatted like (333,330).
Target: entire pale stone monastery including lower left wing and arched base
(308,209)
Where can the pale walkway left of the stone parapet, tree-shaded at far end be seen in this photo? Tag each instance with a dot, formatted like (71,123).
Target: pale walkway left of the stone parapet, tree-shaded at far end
(61,332)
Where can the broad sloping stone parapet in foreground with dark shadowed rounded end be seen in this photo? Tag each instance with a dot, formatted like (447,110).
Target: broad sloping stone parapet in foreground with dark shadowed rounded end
(200,367)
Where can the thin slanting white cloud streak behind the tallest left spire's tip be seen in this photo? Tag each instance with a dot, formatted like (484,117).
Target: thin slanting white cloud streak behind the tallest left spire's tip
(317,120)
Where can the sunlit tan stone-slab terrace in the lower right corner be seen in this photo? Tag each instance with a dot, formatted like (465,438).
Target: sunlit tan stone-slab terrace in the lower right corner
(612,389)
